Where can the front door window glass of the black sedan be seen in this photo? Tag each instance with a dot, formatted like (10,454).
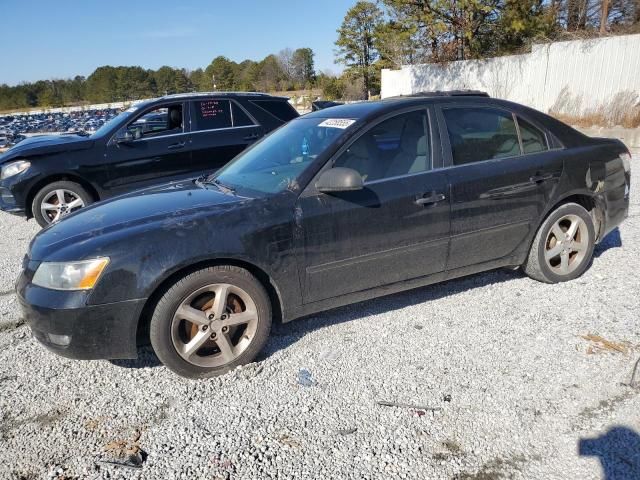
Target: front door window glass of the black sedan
(397,146)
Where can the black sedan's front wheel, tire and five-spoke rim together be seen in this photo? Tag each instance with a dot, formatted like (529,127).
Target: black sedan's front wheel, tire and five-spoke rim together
(211,321)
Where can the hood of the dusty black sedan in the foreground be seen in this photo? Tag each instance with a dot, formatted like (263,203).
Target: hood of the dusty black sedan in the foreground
(164,206)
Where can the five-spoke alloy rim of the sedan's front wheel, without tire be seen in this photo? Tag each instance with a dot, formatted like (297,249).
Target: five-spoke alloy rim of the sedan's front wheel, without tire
(214,325)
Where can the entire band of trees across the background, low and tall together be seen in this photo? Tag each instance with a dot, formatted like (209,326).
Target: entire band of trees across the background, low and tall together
(373,35)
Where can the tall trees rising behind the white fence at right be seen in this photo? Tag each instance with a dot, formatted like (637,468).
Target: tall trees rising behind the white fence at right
(392,33)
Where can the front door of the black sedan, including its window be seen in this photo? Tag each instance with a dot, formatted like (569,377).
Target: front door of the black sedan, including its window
(395,229)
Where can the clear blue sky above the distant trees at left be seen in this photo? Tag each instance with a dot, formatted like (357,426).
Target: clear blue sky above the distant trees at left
(60,39)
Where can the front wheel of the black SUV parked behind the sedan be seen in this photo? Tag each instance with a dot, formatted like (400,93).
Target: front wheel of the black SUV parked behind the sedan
(57,200)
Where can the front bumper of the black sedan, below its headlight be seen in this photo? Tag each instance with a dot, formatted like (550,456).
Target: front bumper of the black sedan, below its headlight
(66,325)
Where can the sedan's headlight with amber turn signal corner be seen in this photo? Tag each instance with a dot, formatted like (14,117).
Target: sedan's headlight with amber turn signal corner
(70,275)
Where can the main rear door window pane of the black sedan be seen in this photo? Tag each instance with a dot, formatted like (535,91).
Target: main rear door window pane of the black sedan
(478,134)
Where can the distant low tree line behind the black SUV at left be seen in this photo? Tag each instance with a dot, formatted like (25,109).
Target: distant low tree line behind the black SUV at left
(288,70)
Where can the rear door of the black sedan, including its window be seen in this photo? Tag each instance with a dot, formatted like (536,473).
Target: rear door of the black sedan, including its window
(495,189)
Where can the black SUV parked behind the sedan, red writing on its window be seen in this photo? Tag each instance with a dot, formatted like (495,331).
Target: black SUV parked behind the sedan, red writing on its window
(169,138)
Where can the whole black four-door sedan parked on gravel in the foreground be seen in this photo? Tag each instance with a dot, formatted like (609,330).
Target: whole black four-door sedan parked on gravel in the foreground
(335,207)
